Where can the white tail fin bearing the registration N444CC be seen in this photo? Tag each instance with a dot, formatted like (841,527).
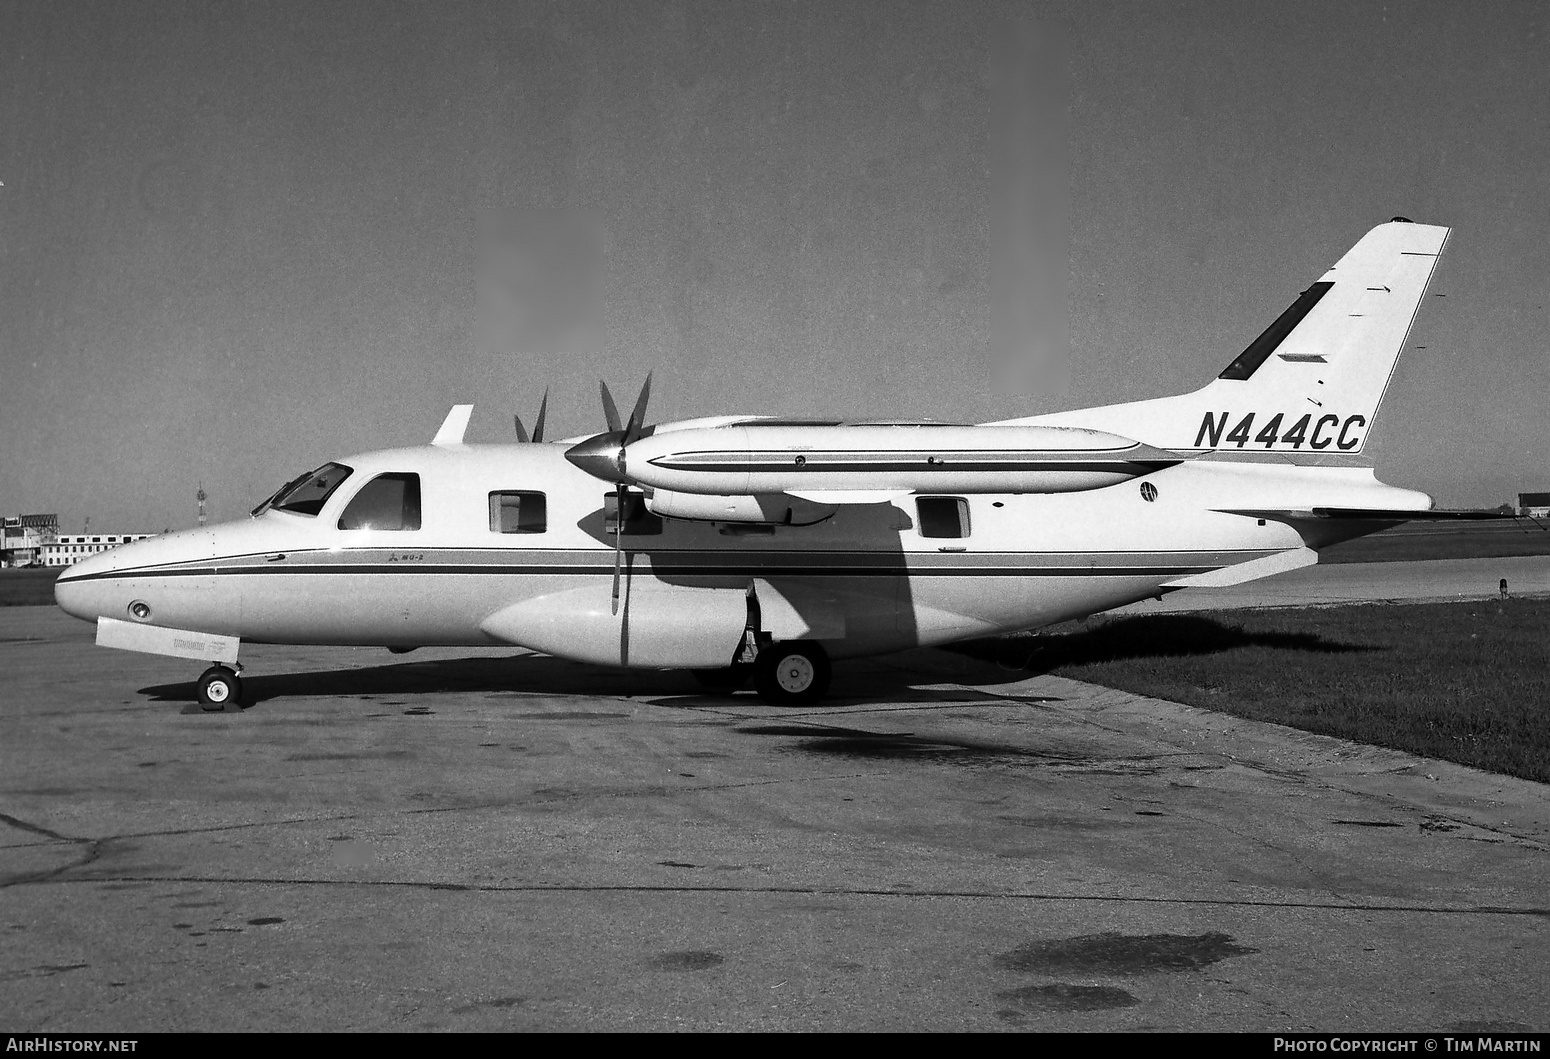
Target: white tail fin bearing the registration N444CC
(1312,384)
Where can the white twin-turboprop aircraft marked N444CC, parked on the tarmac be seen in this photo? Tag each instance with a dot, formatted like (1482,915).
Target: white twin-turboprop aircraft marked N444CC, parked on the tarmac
(746,545)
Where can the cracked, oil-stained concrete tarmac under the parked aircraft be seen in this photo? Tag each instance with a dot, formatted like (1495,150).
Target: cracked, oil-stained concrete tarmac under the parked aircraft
(500,841)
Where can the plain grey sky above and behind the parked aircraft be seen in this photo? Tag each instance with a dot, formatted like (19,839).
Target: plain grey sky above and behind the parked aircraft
(241,240)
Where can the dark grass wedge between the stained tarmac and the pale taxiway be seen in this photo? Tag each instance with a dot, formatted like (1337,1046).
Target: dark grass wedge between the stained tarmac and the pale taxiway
(1467,683)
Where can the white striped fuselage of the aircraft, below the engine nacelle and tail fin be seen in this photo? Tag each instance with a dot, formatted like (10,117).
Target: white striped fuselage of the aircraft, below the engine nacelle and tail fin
(514,545)
